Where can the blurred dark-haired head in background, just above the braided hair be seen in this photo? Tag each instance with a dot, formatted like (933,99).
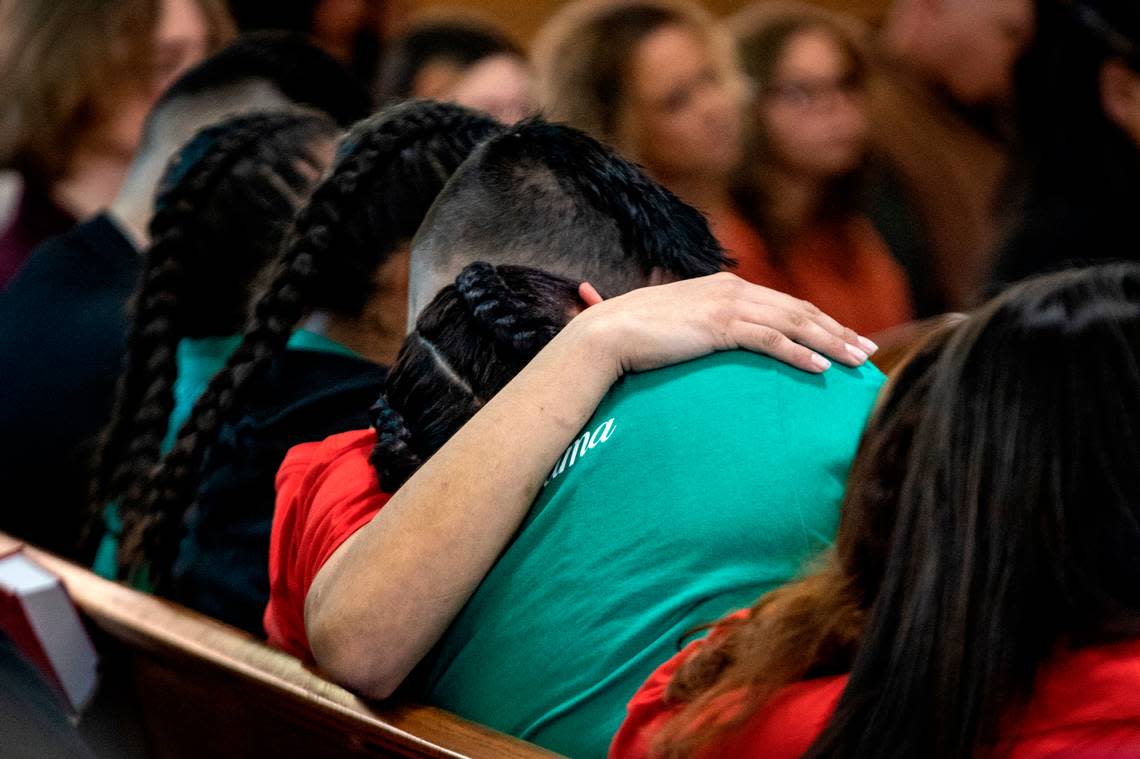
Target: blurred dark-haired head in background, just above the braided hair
(461,60)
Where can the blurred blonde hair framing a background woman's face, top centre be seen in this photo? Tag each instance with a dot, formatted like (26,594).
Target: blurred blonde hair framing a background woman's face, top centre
(582,58)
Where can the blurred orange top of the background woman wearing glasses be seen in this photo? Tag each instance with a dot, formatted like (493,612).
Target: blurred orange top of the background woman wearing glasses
(845,270)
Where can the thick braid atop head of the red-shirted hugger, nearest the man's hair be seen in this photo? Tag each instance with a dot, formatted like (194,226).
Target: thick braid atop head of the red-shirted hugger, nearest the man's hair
(502,313)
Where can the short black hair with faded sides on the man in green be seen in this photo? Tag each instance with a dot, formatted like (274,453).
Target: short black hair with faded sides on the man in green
(552,198)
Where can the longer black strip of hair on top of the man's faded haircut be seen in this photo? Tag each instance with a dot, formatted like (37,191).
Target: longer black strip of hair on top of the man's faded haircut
(656,227)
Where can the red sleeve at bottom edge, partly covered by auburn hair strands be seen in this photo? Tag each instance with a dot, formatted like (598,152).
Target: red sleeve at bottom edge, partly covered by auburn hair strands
(784,729)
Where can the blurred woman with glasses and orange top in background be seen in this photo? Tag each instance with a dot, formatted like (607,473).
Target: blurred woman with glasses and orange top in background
(802,184)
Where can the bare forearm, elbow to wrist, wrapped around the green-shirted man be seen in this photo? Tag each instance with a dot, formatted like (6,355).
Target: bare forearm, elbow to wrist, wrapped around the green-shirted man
(373,611)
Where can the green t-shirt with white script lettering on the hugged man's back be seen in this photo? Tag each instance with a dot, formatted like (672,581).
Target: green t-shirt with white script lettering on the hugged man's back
(691,493)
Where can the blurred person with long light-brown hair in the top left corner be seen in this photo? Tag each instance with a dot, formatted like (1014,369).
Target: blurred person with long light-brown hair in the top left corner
(78,80)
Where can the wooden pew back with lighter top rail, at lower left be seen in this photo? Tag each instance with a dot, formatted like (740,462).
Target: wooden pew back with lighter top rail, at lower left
(208,690)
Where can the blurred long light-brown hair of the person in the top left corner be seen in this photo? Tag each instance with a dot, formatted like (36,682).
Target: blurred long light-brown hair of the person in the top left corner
(64,66)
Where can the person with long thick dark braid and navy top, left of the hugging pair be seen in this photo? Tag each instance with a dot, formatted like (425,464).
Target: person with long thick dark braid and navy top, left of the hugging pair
(308,366)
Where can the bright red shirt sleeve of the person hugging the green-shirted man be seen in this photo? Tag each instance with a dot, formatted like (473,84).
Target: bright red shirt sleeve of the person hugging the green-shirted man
(325,493)
